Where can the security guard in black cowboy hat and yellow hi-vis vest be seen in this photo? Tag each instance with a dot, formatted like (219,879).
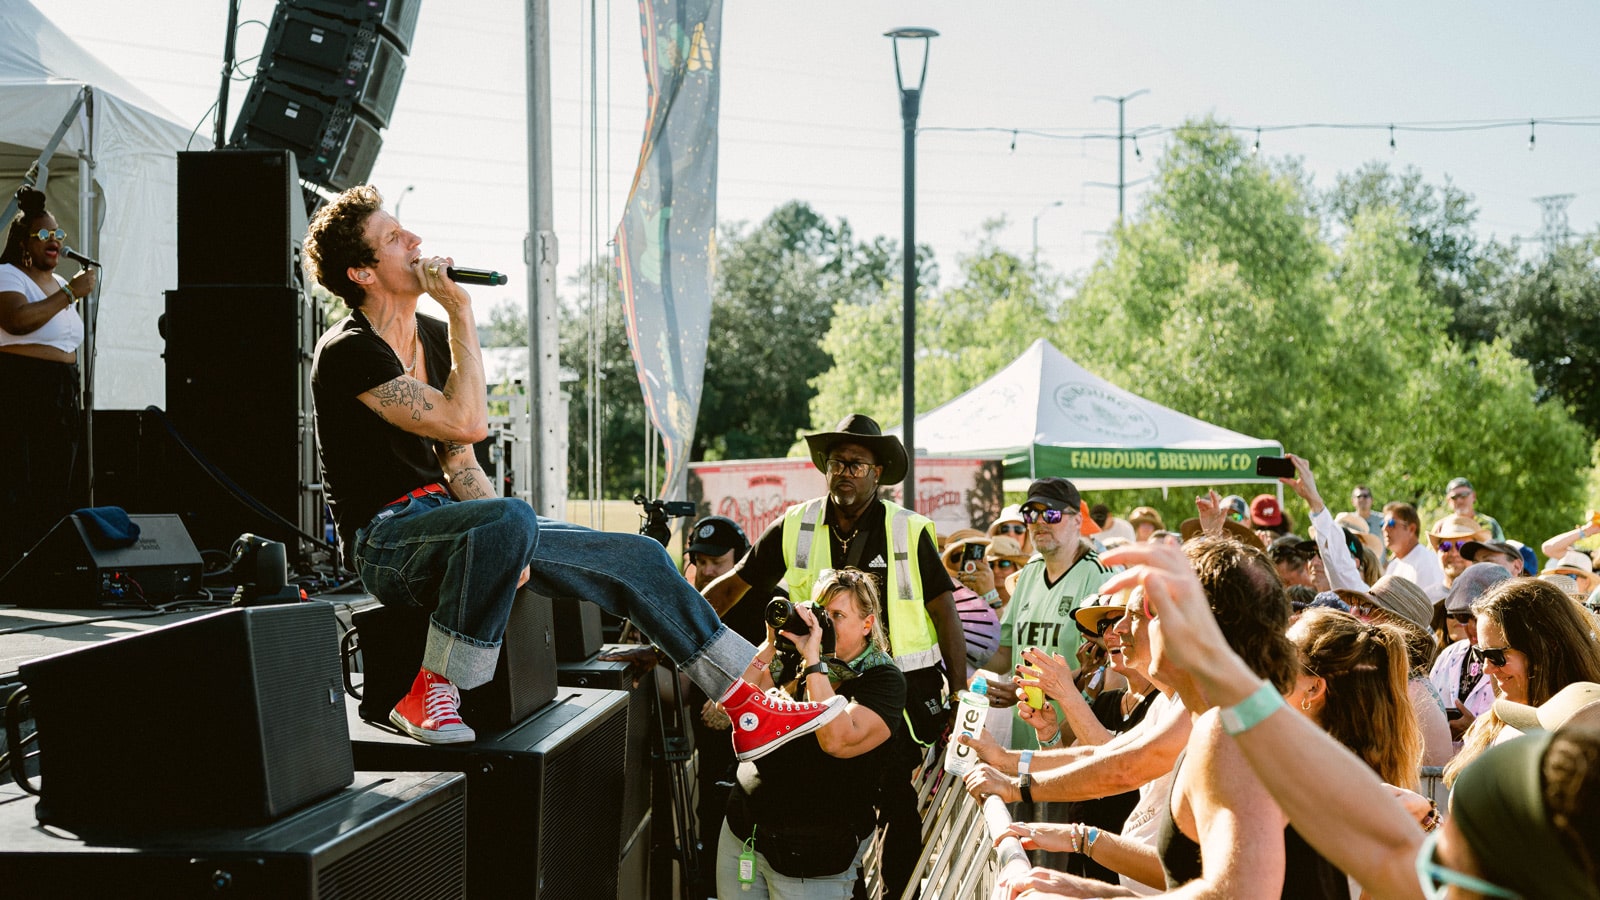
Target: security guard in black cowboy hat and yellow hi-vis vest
(854,528)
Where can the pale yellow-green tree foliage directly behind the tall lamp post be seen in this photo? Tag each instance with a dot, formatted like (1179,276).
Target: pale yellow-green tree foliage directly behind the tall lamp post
(967,332)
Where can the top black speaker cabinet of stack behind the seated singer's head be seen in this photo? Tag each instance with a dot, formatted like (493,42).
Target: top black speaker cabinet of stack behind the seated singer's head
(241,219)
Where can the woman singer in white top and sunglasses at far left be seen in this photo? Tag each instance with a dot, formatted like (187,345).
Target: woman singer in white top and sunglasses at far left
(39,377)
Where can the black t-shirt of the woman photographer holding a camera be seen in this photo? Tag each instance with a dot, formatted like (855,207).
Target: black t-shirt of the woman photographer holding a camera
(801,784)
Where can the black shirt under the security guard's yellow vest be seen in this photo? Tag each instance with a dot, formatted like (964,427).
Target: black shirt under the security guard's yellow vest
(766,566)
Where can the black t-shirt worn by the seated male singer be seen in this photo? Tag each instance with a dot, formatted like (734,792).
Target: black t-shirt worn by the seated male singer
(367,462)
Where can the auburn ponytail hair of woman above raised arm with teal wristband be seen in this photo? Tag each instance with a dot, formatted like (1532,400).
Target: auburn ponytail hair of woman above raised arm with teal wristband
(1369,707)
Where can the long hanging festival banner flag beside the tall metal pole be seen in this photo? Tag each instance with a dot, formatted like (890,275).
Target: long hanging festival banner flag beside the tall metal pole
(666,247)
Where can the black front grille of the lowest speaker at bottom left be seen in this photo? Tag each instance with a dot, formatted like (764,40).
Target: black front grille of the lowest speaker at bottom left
(423,861)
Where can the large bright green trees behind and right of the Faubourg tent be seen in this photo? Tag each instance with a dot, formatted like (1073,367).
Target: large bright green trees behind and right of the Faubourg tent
(1226,299)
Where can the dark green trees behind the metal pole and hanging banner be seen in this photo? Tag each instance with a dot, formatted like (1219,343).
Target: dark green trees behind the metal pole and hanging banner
(777,289)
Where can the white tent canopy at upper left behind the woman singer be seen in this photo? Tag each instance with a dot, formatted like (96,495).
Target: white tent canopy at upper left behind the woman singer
(116,167)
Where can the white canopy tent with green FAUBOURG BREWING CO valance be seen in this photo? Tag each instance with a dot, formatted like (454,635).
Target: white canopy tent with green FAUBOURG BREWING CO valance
(1047,416)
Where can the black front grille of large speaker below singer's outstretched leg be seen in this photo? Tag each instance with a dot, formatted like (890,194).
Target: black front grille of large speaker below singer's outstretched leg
(580,787)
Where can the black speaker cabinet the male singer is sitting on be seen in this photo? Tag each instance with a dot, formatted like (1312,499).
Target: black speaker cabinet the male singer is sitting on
(393,640)
